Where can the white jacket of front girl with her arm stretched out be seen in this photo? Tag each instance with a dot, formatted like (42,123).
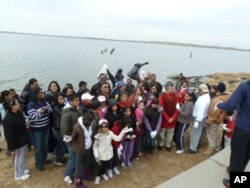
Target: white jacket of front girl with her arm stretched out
(103,149)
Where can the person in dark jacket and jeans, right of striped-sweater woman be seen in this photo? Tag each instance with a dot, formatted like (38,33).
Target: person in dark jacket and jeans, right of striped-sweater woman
(61,148)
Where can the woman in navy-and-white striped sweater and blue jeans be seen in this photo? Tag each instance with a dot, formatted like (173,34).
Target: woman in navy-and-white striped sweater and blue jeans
(39,110)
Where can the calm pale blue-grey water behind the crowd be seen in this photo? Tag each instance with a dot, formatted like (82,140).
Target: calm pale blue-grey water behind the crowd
(71,59)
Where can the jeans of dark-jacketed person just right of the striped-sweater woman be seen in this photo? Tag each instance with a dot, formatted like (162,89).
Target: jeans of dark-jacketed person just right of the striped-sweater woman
(61,148)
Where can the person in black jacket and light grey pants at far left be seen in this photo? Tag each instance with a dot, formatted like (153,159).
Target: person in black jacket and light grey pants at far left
(17,138)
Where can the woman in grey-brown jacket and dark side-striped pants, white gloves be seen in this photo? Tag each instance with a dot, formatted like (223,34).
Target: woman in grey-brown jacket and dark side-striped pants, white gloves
(183,120)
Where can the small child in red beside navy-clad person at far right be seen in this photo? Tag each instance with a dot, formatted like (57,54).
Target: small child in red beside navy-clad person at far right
(229,128)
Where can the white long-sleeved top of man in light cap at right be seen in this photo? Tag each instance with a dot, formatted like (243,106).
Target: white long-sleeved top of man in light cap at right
(201,107)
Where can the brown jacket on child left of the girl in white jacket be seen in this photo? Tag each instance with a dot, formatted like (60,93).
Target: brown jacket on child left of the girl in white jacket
(78,137)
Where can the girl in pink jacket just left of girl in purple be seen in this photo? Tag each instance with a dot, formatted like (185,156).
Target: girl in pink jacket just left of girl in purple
(138,131)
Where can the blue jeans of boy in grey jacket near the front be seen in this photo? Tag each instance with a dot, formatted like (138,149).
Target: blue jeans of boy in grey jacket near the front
(71,163)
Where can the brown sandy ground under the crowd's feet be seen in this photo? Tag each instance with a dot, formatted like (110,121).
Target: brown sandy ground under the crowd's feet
(148,171)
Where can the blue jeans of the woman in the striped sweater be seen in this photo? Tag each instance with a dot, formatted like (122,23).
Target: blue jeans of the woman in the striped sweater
(40,141)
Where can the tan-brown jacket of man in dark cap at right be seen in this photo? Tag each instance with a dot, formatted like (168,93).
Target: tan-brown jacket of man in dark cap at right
(216,116)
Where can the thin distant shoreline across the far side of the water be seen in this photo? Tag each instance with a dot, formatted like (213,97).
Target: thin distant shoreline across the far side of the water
(147,42)
